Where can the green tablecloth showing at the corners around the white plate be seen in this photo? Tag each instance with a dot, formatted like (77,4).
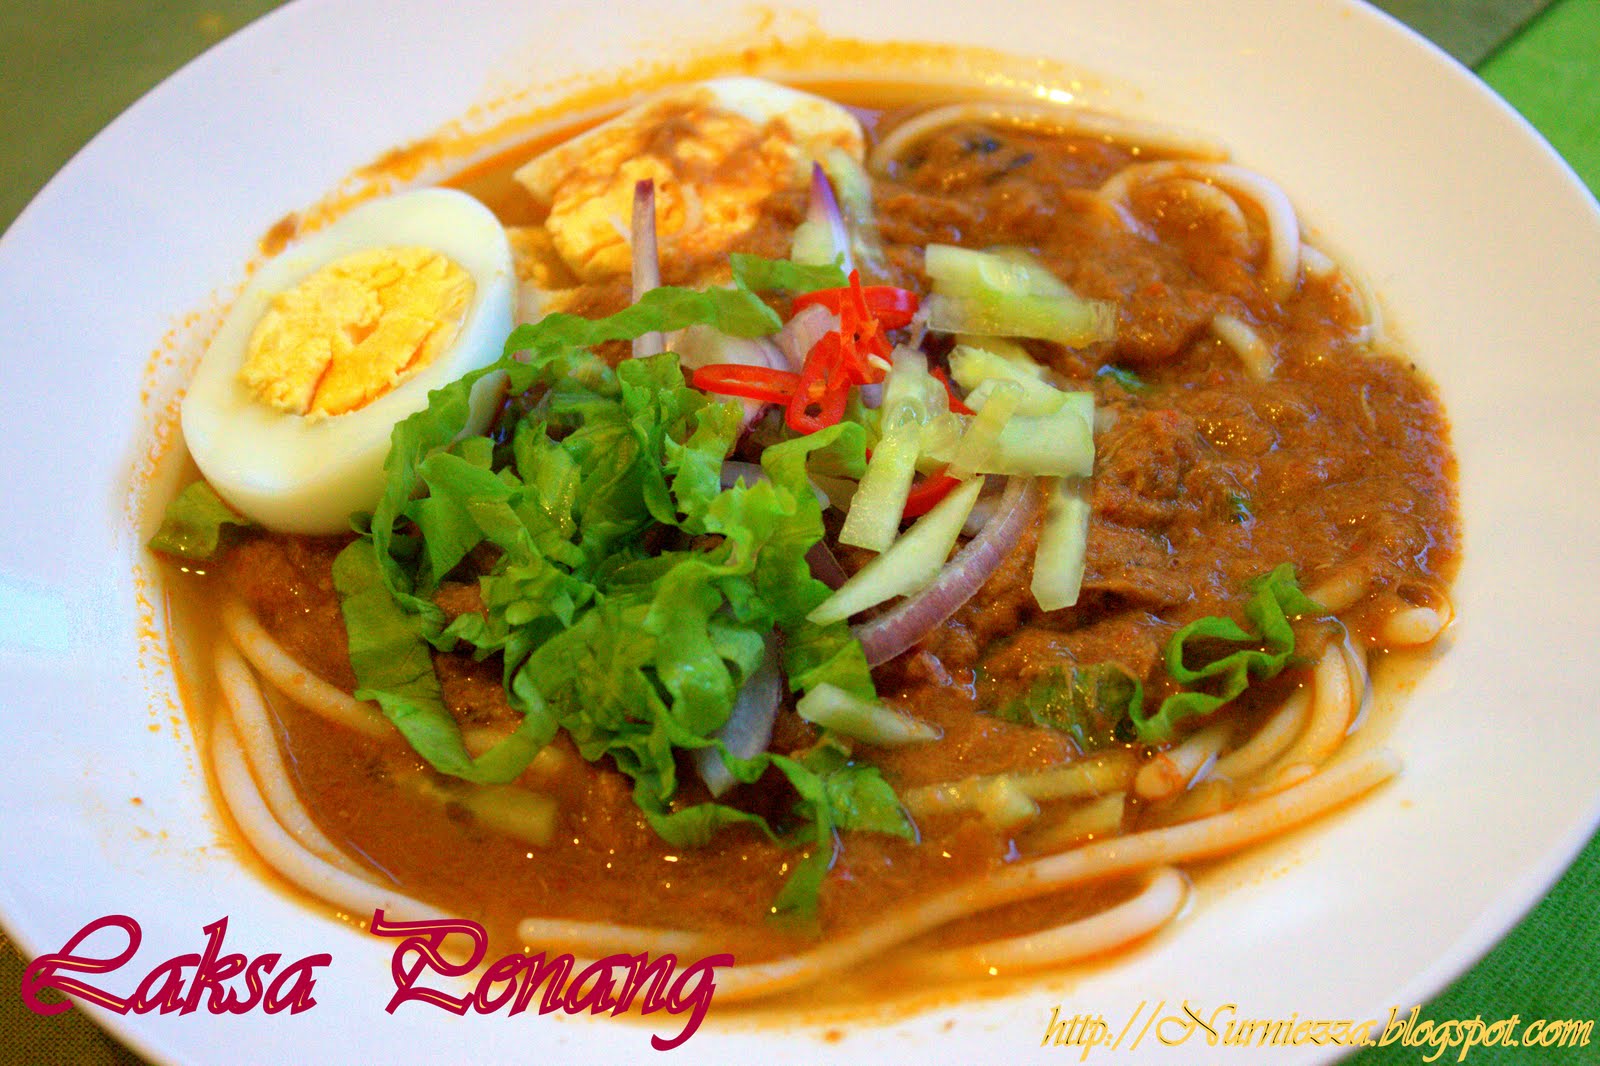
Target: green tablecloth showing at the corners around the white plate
(68,70)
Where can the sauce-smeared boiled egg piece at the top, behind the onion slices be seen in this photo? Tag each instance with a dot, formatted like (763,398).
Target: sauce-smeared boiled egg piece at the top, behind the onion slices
(716,151)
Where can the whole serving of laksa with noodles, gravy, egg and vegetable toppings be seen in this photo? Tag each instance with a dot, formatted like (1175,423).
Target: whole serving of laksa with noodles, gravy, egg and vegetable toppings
(826,531)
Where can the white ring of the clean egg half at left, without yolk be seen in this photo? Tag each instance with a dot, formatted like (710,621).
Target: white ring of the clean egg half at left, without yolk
(308,476)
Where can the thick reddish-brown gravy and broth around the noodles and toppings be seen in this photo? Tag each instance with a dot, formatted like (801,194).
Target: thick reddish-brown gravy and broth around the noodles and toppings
(1206,479)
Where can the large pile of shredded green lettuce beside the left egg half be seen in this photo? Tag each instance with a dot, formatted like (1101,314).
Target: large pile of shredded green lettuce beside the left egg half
(636,654)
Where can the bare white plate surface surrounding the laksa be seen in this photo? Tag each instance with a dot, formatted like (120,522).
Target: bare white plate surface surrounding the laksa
(1484,246)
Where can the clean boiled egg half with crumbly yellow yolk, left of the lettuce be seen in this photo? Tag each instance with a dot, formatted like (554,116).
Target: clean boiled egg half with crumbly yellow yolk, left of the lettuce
(337,342)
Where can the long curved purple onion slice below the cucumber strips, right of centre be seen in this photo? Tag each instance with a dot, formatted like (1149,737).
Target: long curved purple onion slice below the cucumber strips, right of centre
(892,633)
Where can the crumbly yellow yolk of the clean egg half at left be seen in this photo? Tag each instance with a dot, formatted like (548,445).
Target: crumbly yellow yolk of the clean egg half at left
(356,329)
